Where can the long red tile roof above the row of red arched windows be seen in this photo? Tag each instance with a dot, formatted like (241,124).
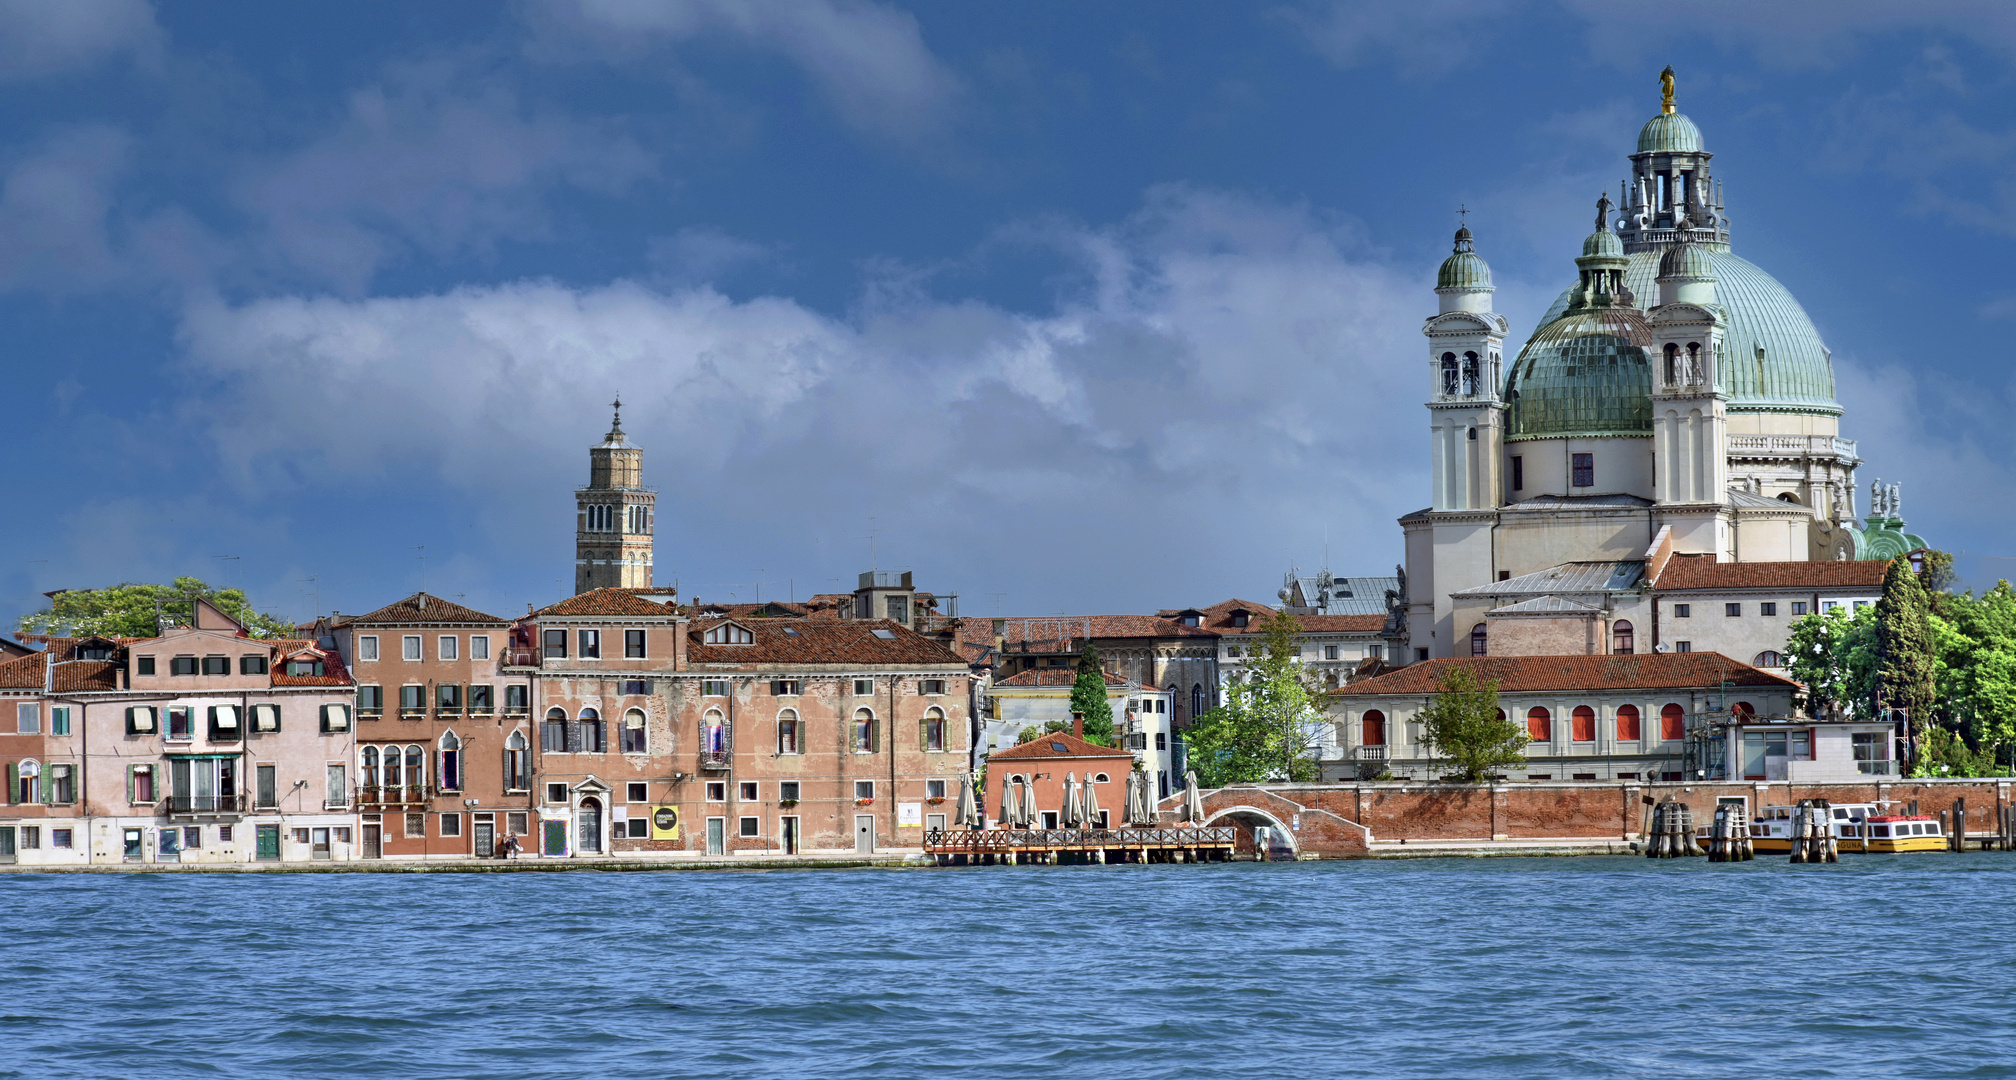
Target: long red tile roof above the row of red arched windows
(1590,674)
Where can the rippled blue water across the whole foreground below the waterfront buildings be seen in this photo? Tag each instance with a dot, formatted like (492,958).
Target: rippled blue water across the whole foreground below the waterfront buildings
(1882,966)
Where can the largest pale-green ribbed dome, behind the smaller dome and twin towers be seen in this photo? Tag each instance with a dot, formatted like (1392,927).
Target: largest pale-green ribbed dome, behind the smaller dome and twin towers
(1793,376)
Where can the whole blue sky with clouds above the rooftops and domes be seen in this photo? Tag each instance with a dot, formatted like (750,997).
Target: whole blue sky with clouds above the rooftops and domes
(1067,307)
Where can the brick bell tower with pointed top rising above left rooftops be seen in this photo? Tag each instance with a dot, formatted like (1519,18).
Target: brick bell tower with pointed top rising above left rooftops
(616,517)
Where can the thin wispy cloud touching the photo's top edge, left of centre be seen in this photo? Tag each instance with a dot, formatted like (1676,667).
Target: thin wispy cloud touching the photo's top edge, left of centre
(868,59)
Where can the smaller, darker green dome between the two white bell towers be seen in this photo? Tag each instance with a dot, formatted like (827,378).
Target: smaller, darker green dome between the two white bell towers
(1584,374)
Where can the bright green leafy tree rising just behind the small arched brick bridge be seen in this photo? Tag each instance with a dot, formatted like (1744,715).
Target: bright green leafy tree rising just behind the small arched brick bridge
(1269,726)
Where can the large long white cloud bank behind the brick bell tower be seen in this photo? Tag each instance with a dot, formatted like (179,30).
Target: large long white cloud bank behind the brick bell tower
(1229,370)
